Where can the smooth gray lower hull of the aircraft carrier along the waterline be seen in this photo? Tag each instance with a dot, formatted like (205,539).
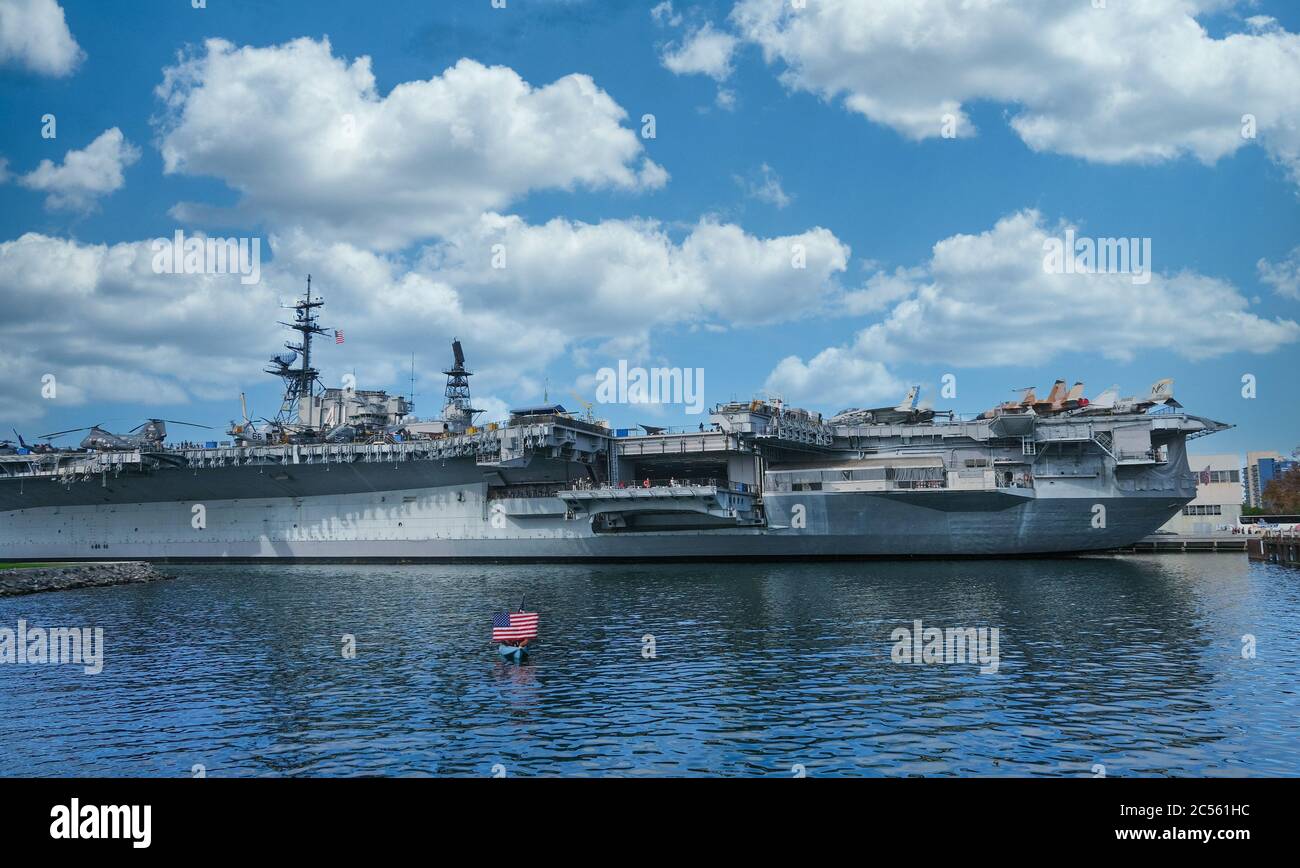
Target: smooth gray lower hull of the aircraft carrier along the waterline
(454,523)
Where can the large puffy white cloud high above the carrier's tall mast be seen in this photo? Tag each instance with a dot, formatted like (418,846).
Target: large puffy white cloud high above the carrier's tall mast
(307,141)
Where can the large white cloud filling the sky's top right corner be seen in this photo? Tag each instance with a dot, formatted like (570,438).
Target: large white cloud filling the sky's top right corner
(1136,83)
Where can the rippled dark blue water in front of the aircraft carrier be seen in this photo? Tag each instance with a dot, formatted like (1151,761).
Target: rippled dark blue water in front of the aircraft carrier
(1130,663)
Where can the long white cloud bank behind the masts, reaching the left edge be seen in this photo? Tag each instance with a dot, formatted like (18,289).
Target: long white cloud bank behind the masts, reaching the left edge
(111,329)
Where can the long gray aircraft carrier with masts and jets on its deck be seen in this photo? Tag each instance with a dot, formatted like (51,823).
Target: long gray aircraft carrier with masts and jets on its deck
(344,475)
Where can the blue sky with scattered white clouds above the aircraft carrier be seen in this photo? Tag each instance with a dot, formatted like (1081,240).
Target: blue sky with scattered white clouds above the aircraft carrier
(886,189)
